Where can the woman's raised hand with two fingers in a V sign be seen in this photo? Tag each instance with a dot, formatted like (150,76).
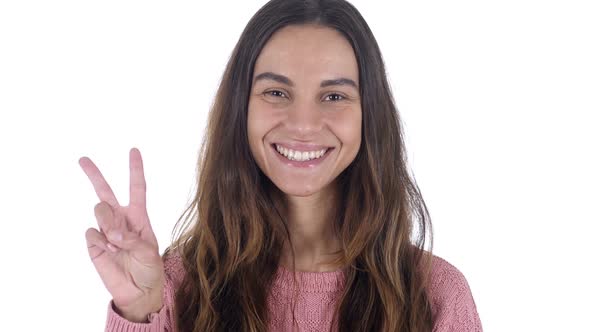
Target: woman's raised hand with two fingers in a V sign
(125,250)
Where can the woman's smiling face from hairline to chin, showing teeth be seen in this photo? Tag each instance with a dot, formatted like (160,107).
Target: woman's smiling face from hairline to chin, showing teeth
(306,103)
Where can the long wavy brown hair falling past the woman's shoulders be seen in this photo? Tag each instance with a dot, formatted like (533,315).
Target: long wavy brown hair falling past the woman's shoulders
(232,232)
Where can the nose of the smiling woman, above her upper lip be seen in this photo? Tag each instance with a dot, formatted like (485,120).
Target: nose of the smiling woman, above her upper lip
(304,119)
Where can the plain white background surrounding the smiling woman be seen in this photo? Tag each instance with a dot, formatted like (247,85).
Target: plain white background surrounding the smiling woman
(494,97)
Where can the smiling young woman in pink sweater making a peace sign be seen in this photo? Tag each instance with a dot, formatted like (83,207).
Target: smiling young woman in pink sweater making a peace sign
(305,216)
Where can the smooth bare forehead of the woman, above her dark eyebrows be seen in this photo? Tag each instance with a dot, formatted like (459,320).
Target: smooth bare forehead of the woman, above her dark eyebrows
(299,51)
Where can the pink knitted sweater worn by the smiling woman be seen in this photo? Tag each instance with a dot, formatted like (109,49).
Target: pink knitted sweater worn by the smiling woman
(452,304)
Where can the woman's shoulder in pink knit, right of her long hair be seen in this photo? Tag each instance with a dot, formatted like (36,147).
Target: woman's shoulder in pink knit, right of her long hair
(453,306)
